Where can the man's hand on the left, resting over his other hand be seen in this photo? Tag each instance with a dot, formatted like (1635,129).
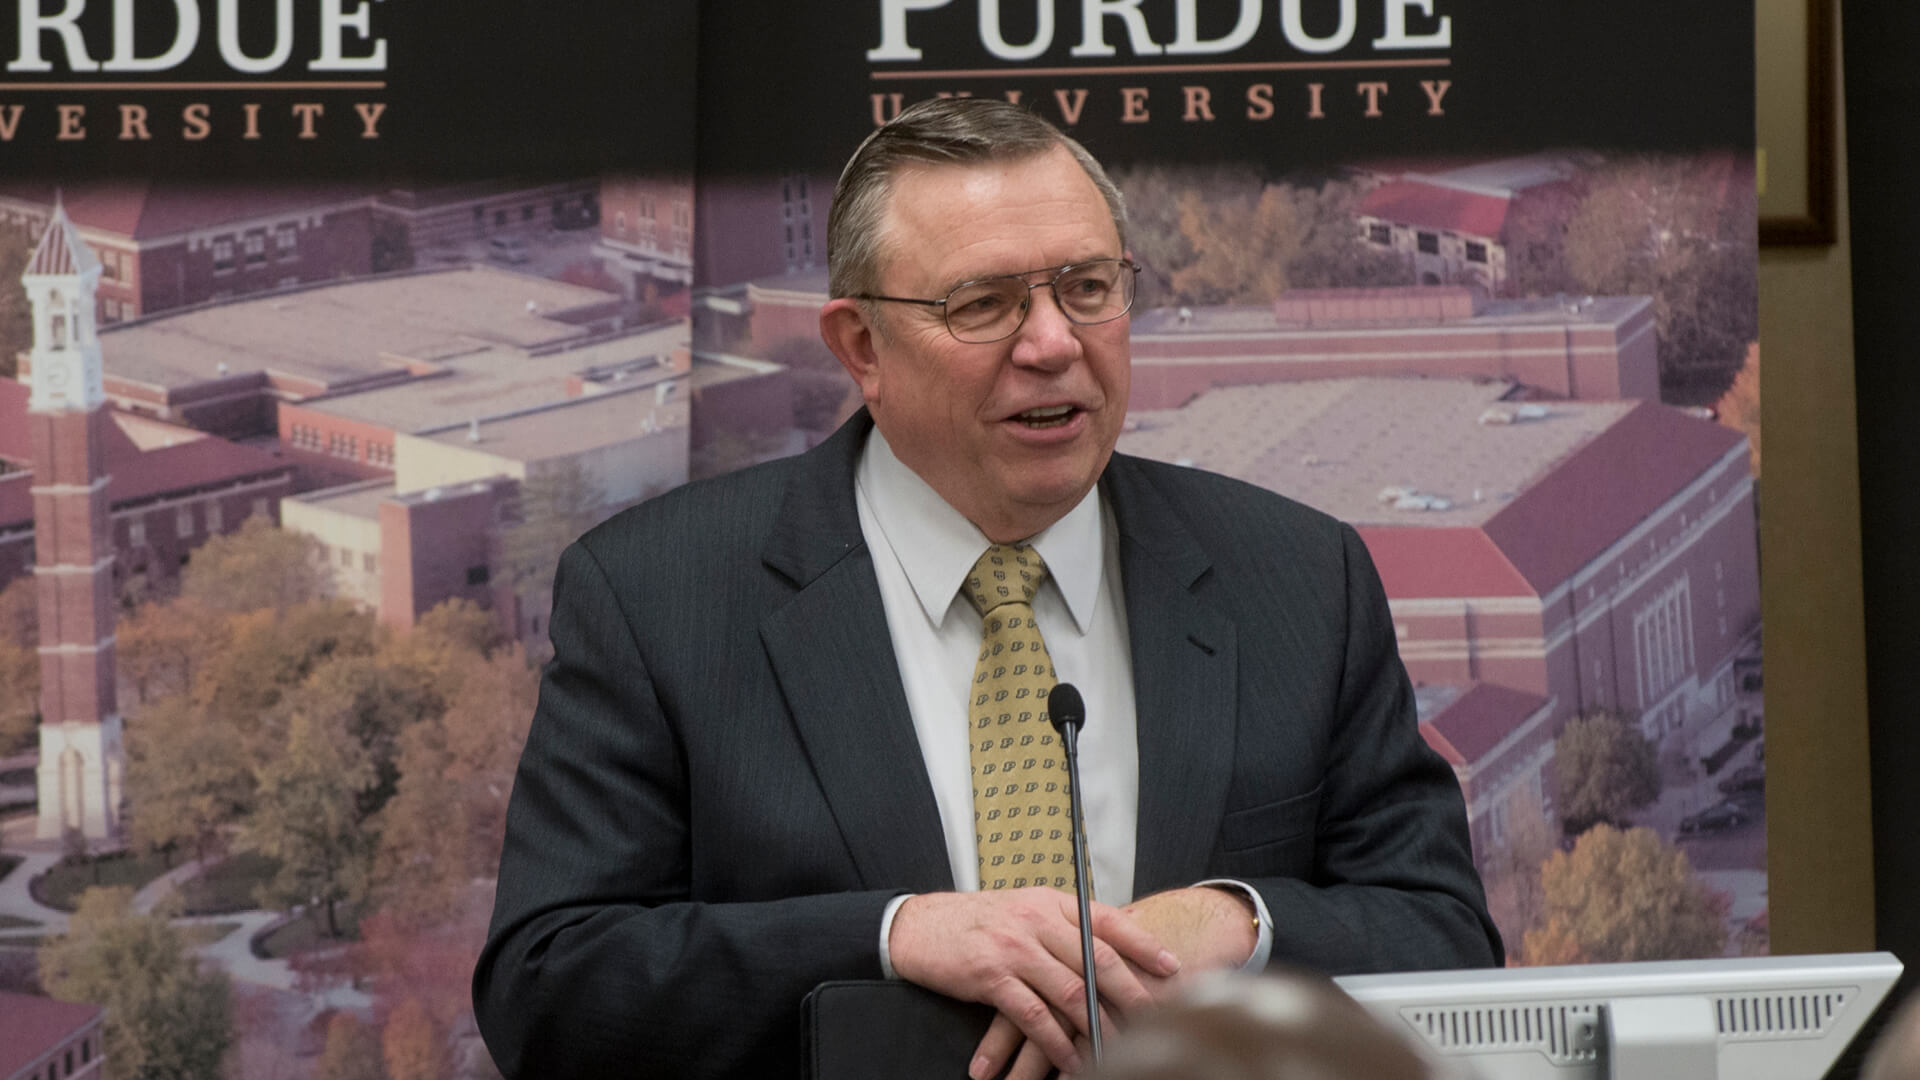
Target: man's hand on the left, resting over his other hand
(1020,952)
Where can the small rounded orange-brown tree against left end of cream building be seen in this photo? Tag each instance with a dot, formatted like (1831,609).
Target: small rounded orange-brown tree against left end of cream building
(258,568)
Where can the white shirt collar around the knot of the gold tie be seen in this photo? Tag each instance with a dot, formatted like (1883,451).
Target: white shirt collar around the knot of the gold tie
(938,547)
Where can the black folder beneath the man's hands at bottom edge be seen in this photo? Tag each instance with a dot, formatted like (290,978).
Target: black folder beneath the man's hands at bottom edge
(890,1031)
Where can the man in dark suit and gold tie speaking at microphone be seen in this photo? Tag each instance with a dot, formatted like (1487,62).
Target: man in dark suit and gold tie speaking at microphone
(756,758)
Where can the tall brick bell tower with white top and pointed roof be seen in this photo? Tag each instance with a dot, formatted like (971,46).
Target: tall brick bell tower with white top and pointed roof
(82,758)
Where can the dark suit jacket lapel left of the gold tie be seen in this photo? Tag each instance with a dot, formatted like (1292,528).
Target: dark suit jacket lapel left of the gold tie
(834,660)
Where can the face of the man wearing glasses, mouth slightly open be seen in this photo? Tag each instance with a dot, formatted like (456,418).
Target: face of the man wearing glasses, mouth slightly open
(1017,431)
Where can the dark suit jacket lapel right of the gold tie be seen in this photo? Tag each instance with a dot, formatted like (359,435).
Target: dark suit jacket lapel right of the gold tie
(1184,685)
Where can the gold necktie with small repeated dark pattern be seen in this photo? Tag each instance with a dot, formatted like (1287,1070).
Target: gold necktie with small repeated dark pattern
(1020,775)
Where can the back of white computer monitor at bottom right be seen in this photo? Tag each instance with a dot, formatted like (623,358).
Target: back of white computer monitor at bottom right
(1729,1019)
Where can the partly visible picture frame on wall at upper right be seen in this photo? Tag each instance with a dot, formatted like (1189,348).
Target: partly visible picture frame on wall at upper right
(1794,122)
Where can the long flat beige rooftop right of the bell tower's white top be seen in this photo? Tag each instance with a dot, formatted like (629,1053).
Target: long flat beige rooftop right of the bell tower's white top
(345,333)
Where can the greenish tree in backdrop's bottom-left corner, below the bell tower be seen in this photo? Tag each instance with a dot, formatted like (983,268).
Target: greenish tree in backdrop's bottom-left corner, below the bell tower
(166,1019)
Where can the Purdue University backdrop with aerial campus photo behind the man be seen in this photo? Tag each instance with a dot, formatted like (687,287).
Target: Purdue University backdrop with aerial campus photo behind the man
(370,307)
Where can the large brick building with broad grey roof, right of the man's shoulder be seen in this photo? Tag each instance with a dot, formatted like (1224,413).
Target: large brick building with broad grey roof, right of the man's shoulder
(1587,554)
